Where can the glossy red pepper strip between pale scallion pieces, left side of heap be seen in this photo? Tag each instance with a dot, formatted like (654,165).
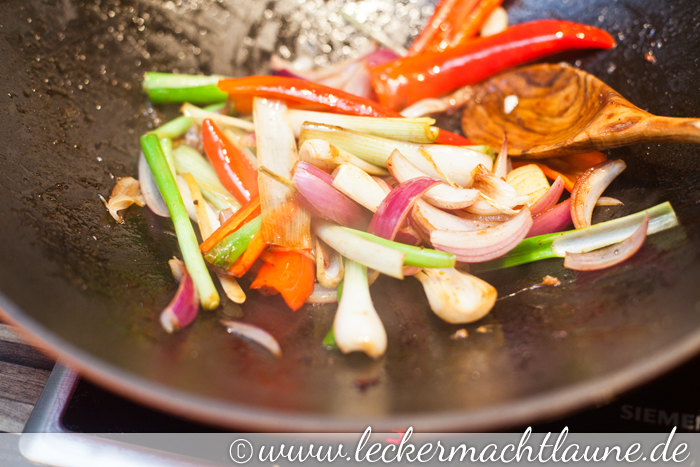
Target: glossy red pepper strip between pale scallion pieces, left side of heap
(232,167)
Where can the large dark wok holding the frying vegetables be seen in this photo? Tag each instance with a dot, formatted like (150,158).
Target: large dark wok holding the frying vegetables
(91,290)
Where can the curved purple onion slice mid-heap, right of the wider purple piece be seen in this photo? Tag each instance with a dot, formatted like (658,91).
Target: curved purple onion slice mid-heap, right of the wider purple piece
(392,213)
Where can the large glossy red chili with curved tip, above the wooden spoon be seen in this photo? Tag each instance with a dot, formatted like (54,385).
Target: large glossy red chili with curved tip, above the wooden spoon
(401,83)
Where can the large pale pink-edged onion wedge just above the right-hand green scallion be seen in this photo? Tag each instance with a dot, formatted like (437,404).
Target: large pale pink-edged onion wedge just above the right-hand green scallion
(484,245)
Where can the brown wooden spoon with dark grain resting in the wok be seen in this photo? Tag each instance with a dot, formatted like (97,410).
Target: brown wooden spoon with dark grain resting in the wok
(560,110)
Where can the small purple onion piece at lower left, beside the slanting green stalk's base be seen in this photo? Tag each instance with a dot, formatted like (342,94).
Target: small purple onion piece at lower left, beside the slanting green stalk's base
(184,306)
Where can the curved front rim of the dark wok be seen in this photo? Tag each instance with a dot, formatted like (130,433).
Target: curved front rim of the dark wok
(536,408)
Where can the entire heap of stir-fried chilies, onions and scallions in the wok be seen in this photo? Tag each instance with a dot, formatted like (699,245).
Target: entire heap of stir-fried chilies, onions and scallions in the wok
(297,220)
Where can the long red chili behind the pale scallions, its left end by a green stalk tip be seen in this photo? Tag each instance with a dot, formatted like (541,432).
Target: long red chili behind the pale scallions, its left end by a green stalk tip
(316,96)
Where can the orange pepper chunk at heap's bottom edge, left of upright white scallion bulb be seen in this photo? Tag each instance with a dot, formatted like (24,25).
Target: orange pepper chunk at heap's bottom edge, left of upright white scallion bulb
(292,274)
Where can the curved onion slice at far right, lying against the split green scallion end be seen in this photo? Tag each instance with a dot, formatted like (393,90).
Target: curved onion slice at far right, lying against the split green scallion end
(609,256)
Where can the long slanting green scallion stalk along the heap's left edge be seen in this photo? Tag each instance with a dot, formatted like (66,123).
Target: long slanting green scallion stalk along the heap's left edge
(196,267)
